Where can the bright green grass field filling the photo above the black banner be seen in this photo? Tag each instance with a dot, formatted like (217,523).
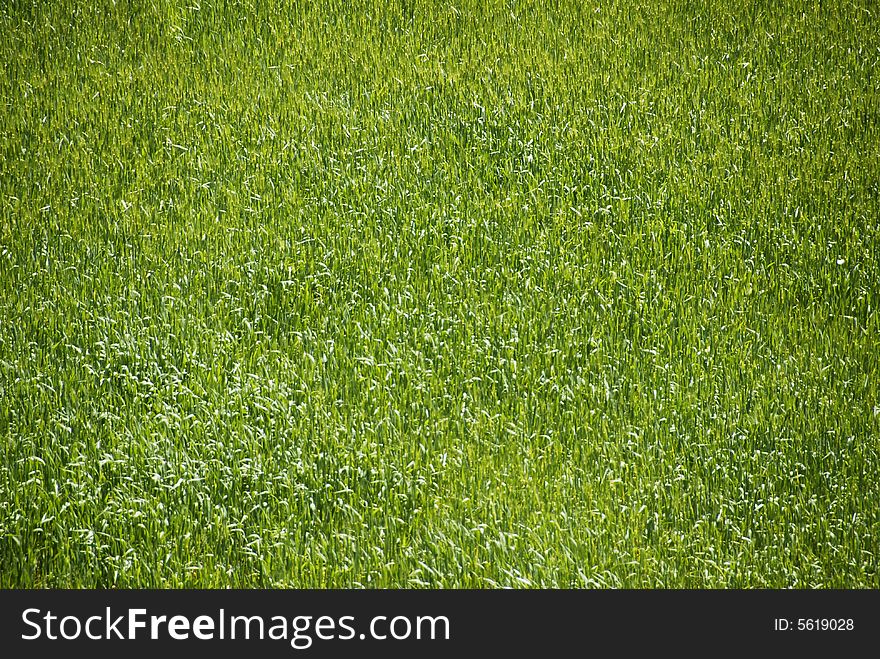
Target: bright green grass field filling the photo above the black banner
(435,294)
